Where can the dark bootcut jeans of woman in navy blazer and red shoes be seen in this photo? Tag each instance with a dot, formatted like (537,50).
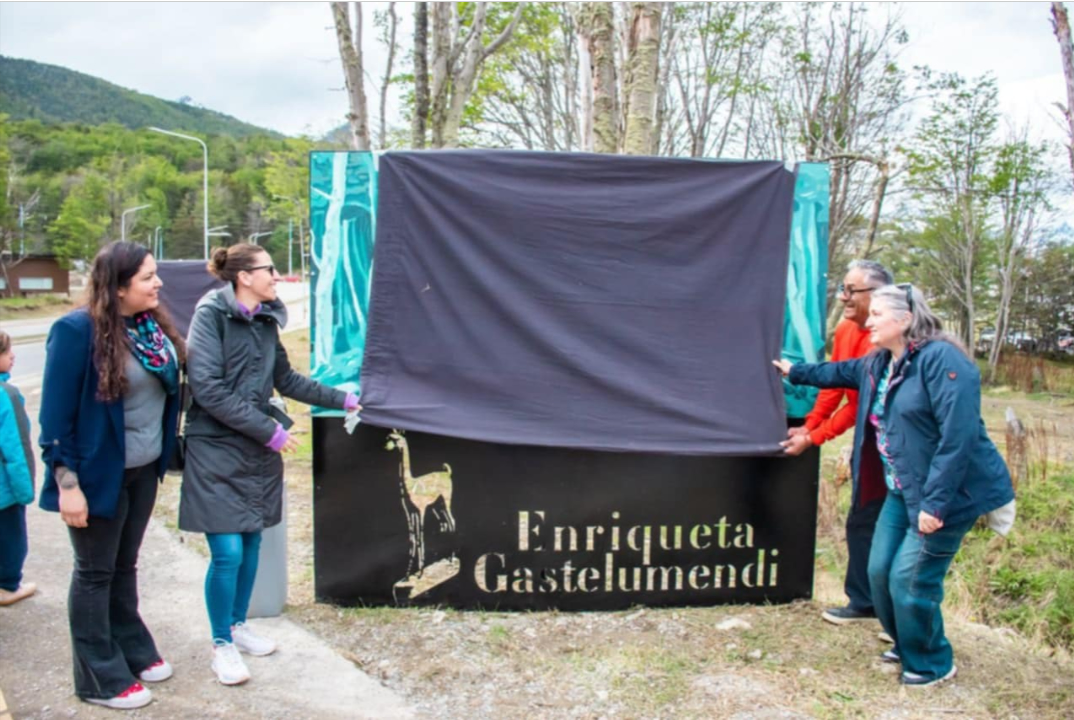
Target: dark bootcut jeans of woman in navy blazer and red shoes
(110,642)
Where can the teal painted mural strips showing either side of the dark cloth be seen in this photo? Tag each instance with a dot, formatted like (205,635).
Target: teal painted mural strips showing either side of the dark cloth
(343,203)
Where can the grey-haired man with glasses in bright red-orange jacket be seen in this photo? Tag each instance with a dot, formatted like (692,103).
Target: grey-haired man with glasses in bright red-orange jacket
(831,419)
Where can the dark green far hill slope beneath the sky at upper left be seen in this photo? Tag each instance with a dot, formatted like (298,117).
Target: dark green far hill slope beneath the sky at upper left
(51,94)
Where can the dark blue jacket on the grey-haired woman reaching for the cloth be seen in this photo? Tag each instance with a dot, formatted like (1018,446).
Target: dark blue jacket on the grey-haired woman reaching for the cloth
(942,455)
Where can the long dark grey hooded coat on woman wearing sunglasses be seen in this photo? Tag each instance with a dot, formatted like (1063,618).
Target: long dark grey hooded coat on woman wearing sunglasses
(233,483)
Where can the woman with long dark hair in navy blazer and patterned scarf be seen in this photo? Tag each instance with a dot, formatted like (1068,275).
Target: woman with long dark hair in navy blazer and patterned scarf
(109,409)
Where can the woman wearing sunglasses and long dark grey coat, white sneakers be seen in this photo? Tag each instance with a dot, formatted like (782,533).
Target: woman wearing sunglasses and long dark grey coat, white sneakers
(234,479)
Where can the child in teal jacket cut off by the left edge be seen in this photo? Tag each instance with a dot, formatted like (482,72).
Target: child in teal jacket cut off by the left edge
(17,482)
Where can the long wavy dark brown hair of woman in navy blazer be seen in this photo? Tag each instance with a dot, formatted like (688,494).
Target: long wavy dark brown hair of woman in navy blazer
(114,267)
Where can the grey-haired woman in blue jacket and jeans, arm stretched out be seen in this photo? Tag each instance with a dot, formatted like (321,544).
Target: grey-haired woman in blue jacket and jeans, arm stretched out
(920,420)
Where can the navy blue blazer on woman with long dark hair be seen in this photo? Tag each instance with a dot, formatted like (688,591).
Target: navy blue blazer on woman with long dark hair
(78,430)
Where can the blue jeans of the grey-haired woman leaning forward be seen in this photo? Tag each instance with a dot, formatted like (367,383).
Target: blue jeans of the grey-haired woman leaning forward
(906,573)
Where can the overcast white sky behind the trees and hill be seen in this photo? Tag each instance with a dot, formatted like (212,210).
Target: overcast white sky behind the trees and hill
(277,65)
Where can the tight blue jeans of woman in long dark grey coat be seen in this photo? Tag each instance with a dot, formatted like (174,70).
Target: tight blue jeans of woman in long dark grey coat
(230,580)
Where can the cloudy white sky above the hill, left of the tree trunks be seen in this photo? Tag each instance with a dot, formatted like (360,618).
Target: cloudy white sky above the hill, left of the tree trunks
(271,64)
